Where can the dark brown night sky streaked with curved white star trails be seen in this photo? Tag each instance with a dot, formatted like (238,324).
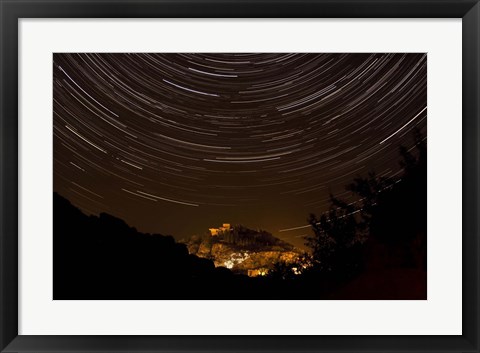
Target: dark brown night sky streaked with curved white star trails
(178,143)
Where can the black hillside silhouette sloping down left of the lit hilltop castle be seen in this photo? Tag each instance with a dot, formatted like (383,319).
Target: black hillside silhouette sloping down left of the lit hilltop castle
(103,258)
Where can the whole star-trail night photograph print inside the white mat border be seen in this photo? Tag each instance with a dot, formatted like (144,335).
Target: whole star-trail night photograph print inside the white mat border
(224,176)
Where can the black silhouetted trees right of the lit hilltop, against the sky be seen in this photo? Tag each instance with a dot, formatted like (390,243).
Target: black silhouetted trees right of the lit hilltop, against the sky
(389,211)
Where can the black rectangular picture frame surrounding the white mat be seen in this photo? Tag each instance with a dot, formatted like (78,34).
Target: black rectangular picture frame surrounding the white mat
(12,10)
